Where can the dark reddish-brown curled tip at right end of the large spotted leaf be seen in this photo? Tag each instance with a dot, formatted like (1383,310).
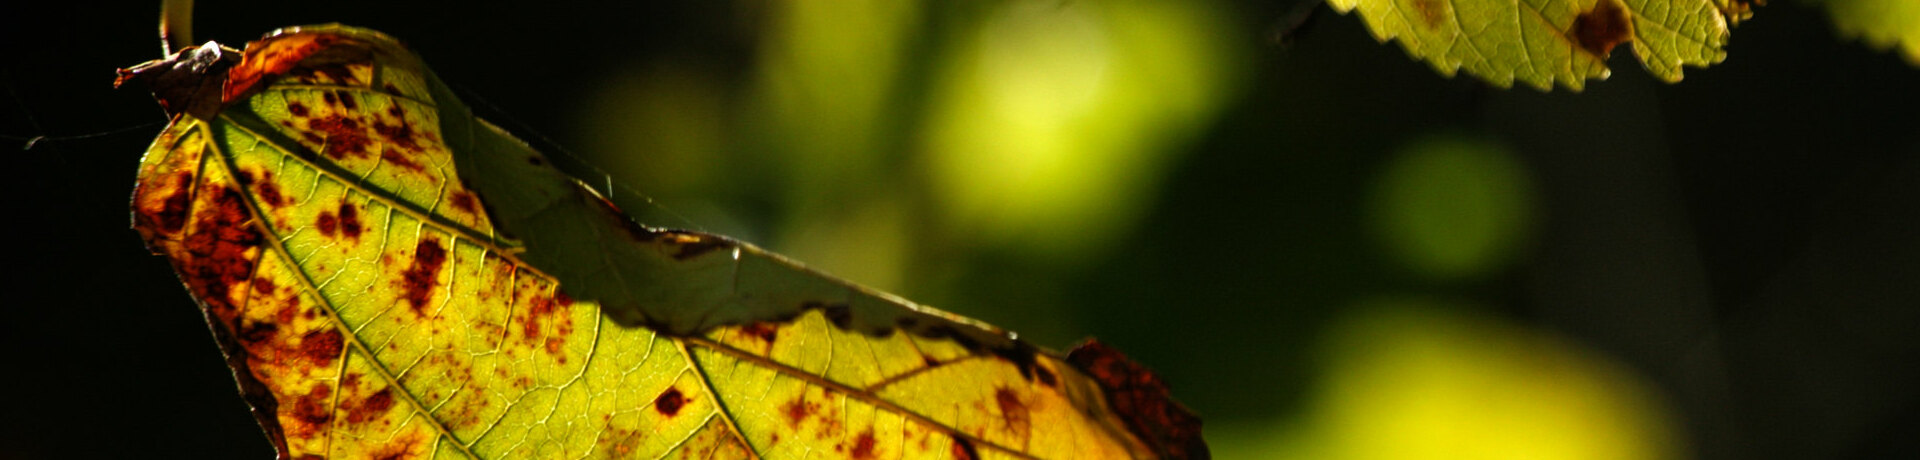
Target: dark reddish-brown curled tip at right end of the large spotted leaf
(1143,402)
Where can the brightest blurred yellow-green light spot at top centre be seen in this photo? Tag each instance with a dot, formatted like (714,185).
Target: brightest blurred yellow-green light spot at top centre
(1055,122)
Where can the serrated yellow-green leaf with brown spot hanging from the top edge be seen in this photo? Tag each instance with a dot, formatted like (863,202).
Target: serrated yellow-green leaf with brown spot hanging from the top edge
(1550,41)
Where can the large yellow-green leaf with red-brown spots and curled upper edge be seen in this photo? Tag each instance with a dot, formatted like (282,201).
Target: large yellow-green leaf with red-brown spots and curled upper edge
(395,279)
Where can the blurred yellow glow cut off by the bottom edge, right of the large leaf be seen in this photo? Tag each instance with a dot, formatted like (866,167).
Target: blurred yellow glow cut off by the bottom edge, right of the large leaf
(1414,380)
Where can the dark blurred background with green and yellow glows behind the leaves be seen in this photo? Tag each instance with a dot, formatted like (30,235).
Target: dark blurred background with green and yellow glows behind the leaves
(1330,250)
